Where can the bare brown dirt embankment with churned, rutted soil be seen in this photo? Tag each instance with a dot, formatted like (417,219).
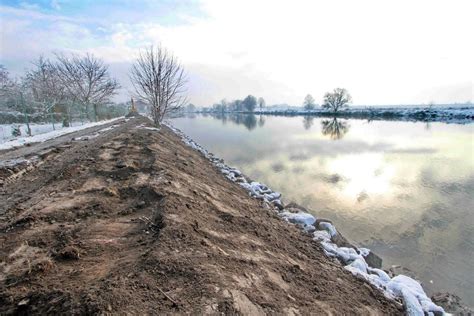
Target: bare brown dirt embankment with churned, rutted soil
(133,221)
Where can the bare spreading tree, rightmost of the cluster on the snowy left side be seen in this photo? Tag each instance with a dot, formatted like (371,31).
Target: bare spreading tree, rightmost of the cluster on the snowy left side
(87,80)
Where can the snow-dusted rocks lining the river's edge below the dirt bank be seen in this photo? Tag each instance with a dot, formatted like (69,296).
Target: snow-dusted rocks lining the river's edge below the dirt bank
(399,287)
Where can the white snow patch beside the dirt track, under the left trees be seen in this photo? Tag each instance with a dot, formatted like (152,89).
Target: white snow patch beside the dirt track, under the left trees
(43,132)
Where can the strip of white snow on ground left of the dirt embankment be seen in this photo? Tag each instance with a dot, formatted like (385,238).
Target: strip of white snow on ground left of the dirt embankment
(41,137)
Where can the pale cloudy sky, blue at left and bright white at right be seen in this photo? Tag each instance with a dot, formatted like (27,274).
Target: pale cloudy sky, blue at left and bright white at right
(382,52)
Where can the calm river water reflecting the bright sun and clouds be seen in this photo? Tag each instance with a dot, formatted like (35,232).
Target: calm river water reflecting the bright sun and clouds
(403,189)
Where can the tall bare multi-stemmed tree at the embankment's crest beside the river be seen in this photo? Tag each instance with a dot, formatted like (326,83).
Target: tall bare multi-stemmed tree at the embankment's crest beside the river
(159,80)
